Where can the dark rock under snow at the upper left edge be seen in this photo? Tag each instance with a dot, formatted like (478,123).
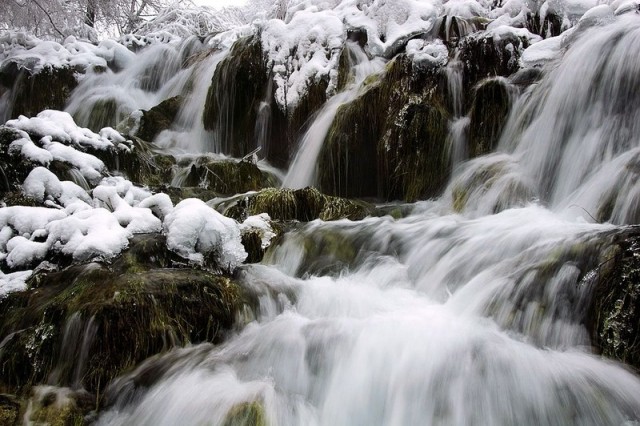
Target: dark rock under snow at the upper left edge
(49,88)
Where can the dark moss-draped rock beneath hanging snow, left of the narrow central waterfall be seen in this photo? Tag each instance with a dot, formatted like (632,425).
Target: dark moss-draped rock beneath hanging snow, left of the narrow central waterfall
(241,108)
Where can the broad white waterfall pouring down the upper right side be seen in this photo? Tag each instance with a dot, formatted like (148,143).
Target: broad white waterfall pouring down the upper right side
(572,138)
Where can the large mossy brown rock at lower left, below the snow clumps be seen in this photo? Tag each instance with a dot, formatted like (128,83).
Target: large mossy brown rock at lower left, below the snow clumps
(110,317)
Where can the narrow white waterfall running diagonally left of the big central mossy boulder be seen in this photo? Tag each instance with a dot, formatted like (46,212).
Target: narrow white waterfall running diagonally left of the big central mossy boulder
(302,171)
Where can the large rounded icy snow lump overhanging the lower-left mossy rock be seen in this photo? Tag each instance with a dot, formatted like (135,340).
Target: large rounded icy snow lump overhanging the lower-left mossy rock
(196,231)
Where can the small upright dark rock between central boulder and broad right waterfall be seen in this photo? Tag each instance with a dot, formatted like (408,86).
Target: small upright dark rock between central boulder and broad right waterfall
(489,112)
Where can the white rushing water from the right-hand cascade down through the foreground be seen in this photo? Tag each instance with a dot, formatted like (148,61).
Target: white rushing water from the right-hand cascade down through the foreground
(441,318)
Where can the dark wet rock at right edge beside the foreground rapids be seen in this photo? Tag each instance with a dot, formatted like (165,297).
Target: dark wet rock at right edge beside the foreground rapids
(614,318)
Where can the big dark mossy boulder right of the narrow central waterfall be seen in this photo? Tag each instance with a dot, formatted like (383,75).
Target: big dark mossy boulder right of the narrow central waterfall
(391,142)
